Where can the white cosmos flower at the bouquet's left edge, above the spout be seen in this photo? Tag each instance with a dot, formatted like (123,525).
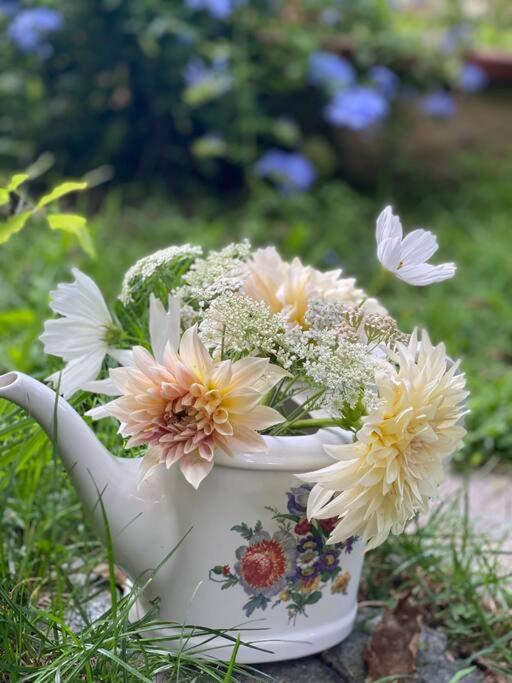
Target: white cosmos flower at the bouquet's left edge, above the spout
(81,336)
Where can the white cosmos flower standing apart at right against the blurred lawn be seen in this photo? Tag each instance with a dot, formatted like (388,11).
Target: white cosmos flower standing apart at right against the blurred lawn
(407,256)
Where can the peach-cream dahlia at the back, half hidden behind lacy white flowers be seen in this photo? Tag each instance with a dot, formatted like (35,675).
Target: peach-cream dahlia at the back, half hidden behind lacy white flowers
(290,287)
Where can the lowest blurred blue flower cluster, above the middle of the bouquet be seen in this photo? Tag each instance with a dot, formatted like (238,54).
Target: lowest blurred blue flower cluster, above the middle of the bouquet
(292,171)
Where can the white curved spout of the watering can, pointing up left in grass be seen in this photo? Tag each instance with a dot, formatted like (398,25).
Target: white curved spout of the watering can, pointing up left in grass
(107,486)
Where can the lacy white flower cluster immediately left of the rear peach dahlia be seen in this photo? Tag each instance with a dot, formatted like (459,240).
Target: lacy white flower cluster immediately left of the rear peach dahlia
(219,273)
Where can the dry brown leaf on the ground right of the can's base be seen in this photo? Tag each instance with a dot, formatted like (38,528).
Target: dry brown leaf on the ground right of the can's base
(394,642)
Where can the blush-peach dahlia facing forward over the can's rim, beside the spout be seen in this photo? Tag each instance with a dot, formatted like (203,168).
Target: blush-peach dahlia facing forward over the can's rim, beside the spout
(184,405)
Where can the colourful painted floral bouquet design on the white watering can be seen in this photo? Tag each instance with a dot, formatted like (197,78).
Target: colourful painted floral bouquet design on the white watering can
(293,566)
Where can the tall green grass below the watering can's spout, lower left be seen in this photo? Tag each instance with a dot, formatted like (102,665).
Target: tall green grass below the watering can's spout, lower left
(44,540)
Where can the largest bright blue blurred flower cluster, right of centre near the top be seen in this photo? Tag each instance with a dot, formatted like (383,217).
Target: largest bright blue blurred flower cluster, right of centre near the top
(357,108)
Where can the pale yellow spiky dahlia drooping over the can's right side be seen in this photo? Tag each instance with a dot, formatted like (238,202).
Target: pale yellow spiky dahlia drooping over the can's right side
(396,463)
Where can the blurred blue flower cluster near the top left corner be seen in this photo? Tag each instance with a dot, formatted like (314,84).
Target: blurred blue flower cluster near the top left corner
(30,27)
